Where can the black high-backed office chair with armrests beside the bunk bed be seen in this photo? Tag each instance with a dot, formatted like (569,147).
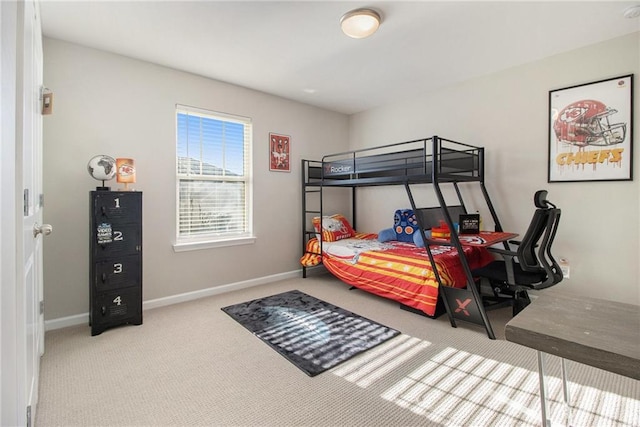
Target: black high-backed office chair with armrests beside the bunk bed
(531,266)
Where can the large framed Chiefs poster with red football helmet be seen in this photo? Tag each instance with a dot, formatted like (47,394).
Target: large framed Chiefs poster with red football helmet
(591,131)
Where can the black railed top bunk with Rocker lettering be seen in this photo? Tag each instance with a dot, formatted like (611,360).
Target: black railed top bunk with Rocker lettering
(427,160)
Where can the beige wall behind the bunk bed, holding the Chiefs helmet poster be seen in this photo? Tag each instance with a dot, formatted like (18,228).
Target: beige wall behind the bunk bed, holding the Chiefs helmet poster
(507,113)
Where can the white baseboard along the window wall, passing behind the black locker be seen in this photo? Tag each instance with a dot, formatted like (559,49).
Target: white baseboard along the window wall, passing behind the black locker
(80,319)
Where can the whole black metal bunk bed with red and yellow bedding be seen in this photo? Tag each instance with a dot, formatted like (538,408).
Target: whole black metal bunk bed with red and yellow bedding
(445,265)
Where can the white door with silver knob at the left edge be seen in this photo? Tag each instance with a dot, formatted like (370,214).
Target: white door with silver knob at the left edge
(22,332)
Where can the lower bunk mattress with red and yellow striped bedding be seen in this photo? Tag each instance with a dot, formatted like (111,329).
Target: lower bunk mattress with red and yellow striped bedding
(395,270)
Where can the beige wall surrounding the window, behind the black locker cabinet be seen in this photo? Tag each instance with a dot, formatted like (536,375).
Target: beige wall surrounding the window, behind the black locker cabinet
(109,104)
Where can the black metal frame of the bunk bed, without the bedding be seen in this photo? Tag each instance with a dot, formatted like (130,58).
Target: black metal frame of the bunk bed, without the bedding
(432,160)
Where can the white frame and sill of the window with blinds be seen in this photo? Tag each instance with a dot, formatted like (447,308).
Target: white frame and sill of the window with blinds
(212,240)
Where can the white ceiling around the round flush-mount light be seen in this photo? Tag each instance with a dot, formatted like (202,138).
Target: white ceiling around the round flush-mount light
(296,50)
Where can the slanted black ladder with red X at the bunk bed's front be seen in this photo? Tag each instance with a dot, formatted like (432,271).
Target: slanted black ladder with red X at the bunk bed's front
(463,304)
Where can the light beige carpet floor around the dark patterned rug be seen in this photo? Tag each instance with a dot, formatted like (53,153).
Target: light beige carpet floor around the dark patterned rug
(191,364)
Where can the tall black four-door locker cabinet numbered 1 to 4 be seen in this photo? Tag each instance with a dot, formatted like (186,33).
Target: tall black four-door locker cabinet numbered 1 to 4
(115,259)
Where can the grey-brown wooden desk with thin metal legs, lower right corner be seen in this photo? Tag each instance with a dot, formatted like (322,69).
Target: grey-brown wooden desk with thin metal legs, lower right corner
(603,334)
